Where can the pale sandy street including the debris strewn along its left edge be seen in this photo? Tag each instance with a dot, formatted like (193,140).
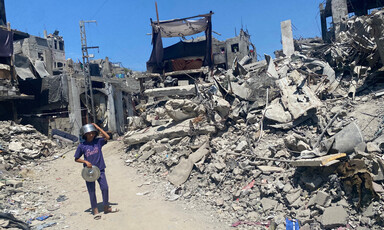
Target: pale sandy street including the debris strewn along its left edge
(52,195)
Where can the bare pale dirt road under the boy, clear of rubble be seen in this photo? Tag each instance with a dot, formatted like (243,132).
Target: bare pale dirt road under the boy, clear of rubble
(149,211)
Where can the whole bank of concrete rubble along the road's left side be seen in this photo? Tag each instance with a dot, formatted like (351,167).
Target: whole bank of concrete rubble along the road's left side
(25,200)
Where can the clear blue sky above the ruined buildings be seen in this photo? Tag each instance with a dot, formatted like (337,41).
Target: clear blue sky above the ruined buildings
(123,25)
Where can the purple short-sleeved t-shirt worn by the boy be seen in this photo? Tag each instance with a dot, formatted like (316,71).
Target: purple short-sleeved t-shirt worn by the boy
(92,152)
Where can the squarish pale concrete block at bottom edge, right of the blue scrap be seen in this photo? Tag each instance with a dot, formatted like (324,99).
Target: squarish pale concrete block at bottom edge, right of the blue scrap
(334,217)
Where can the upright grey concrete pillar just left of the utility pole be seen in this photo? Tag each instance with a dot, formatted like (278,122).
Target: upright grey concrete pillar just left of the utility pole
(74,106)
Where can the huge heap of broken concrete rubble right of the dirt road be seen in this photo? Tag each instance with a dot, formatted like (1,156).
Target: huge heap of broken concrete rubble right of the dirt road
(297,137)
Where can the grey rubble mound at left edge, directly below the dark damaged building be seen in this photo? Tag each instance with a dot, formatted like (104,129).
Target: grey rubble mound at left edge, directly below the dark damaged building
(21,144)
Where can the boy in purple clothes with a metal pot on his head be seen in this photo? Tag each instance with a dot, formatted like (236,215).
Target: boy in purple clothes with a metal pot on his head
(91,149)
